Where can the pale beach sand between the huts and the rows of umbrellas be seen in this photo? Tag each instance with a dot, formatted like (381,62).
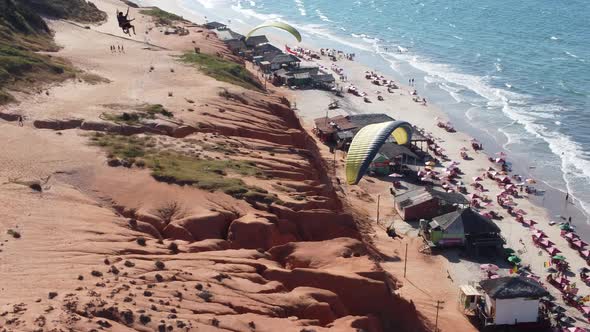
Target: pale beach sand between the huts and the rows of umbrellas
(400,106)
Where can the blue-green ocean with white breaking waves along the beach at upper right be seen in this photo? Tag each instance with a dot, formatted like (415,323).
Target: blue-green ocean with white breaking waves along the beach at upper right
(515,75)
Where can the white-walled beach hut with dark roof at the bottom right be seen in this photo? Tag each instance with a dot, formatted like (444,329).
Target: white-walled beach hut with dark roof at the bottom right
(510,301)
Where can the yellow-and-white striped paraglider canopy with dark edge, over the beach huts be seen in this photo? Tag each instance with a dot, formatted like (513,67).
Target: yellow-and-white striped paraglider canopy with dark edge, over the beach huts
(367,142)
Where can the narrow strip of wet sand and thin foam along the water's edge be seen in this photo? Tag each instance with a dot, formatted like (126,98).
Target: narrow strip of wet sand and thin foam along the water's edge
(458,114)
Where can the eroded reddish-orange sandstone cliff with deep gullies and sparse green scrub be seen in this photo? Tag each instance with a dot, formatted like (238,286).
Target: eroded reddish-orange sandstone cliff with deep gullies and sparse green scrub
(148,247)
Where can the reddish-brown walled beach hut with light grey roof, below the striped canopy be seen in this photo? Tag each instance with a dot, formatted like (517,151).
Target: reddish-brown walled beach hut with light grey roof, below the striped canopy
(427,203)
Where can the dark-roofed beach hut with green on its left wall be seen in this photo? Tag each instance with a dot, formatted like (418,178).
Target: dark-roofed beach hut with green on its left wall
(464,227)
